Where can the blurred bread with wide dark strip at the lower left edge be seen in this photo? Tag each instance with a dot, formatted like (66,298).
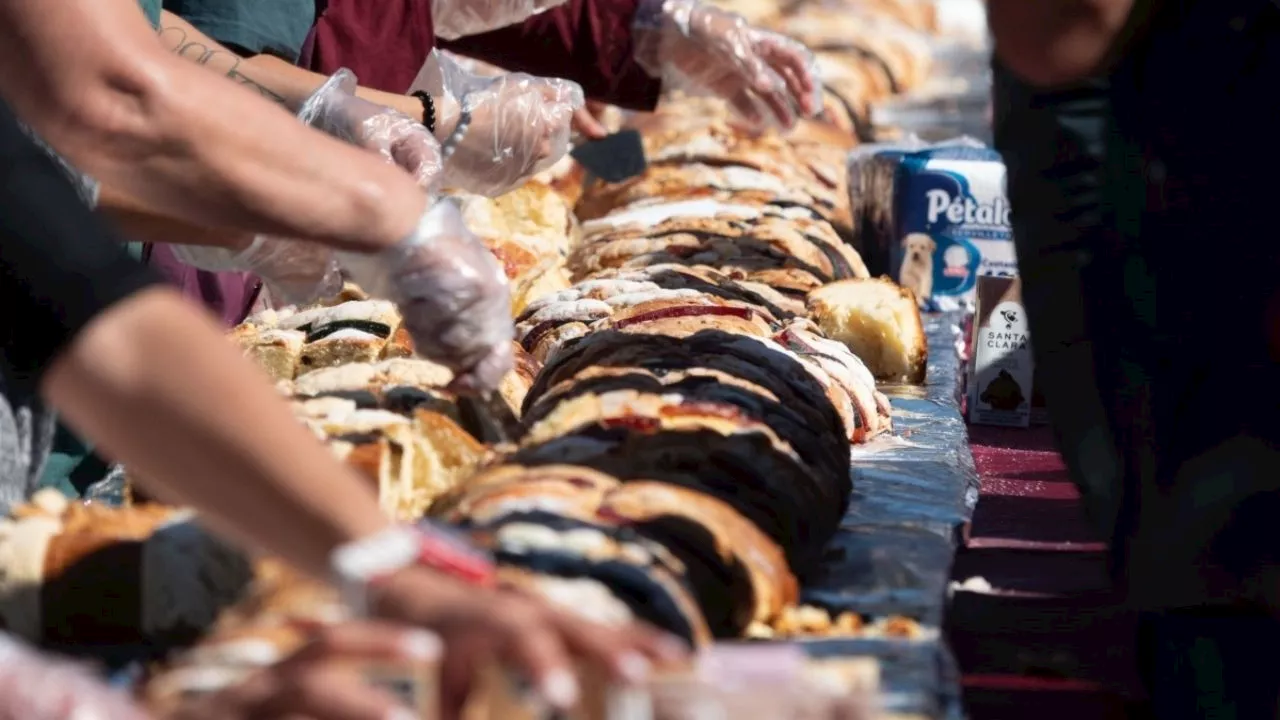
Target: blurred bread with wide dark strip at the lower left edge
(86,575)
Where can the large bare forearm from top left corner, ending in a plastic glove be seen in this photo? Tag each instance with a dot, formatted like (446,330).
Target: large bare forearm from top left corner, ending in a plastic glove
(184,142)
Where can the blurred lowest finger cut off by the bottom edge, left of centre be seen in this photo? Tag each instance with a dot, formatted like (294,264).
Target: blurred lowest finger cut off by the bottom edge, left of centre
(333,695)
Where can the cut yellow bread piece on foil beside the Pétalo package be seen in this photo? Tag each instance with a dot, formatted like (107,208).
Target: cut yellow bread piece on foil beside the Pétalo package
(880,322)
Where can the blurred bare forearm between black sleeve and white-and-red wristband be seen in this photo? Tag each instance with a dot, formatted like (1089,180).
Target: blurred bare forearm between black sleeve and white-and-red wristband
(154,384)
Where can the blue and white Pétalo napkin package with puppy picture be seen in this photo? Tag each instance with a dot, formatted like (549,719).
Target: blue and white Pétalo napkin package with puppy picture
(952,225)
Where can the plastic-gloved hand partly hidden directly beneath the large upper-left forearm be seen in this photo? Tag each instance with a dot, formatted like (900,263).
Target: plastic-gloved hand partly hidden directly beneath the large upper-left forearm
(295,272)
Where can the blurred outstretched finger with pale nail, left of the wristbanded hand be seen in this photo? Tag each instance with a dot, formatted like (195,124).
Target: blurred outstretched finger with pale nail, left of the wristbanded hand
(369,641)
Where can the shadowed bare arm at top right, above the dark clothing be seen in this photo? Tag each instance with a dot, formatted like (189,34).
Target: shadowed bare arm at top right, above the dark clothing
(1058,42)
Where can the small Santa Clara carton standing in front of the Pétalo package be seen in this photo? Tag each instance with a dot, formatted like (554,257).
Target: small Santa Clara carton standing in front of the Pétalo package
(1002,381)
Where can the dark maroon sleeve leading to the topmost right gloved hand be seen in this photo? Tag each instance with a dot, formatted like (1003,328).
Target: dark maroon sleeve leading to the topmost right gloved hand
(588,42)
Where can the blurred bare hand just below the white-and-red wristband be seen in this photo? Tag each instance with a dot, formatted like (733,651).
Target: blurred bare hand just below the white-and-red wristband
(481,627)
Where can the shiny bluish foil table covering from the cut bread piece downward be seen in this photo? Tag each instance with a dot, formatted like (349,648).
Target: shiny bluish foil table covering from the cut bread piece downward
(893,555)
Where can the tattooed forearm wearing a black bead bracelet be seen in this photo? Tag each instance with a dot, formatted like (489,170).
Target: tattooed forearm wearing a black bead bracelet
(269,76)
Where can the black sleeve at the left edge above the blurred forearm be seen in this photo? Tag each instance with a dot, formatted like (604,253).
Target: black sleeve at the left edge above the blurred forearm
(60,265)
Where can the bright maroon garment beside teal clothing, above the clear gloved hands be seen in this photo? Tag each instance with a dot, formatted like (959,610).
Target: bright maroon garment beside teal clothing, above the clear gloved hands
(383,43)
